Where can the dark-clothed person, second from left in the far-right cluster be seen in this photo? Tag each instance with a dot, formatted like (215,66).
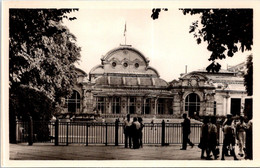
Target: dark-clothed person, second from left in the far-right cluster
(213,138)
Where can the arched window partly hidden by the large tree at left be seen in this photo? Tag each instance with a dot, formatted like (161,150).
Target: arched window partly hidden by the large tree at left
(73,102)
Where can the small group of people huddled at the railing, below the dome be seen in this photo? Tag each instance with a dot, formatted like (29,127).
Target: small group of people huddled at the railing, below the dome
(133,132)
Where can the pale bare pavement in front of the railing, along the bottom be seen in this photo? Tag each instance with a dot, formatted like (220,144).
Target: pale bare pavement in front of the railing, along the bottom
(40,151)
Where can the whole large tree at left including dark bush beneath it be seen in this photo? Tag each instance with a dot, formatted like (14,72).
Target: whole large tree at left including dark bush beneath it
(42,53)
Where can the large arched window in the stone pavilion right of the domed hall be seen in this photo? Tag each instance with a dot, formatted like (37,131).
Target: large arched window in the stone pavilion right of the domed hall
(192,104)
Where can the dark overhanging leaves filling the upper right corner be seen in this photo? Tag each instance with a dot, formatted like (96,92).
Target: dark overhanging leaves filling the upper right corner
(225,30)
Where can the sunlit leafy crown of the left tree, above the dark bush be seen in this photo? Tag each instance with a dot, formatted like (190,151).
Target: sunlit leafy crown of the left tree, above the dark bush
(42,51)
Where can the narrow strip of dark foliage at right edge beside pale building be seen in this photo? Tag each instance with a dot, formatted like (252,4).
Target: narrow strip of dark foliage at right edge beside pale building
(248,77)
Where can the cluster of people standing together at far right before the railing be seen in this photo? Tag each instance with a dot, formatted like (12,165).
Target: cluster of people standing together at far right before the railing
(209,140)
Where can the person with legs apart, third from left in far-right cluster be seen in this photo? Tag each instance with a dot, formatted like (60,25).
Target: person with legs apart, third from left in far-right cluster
(229,139)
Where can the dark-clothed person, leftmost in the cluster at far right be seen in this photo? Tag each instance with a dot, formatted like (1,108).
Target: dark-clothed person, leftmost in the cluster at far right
(203,145)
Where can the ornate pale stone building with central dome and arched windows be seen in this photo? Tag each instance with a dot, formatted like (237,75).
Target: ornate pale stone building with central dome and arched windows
(124,83)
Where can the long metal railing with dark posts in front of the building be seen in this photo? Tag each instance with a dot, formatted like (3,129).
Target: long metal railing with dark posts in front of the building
(65,133)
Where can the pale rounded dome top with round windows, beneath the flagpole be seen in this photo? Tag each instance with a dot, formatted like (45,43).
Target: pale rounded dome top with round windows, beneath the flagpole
(124,60)
